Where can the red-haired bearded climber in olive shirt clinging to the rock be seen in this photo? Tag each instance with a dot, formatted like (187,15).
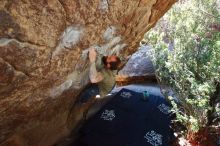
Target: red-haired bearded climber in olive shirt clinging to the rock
(103,70)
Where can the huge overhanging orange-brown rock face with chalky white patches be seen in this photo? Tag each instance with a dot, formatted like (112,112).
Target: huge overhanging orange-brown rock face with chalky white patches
(43,47)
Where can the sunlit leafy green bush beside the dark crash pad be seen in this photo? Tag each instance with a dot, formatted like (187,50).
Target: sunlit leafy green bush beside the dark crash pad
(192,66)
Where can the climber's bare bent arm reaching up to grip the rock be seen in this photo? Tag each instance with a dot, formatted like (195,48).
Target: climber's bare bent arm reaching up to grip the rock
(94,75)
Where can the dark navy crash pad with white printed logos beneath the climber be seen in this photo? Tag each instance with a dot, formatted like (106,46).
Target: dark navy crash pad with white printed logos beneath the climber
(129,120)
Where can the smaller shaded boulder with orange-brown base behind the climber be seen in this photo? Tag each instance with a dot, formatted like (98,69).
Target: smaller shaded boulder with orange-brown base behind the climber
(138,69)
